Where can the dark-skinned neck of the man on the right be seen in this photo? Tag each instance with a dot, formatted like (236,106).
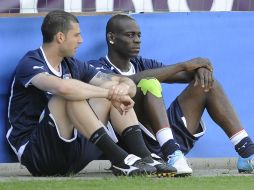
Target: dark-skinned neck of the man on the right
(120,62)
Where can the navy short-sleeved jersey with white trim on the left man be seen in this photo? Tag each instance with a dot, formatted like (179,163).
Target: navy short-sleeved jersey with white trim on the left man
(27,102)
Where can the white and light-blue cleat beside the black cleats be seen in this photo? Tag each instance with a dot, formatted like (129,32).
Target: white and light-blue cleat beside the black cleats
(178,161)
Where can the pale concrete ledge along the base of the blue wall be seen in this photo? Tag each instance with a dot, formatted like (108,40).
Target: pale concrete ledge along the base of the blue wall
(200,166)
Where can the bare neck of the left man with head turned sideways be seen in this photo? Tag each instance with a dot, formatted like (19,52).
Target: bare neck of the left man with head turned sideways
(53,56)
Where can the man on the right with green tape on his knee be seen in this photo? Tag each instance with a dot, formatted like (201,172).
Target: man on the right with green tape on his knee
(181,126)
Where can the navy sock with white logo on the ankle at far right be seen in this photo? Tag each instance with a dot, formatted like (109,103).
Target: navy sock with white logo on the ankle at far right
(245,147)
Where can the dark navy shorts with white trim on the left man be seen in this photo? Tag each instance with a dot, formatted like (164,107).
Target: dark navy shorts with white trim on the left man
(49,154)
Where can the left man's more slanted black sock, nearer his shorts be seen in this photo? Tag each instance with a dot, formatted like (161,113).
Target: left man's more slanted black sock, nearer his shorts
(113,152)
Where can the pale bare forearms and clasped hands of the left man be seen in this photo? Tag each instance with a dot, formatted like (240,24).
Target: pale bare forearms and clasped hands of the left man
(76,90)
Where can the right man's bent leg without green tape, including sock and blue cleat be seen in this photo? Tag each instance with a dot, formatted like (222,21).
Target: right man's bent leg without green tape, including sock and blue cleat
(194,100)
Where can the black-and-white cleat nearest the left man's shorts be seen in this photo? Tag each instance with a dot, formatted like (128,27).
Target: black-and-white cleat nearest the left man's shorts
(133,166)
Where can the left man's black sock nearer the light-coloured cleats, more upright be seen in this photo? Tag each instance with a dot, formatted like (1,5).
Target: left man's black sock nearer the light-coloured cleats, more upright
(134,141)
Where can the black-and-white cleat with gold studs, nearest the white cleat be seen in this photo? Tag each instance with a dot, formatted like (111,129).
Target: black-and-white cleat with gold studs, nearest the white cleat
(163,170)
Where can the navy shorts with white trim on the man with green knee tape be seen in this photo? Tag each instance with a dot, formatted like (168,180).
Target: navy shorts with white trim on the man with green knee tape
(182,136)
